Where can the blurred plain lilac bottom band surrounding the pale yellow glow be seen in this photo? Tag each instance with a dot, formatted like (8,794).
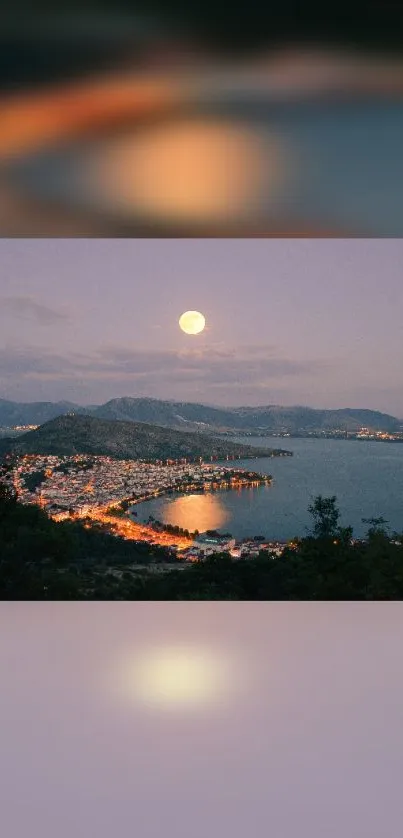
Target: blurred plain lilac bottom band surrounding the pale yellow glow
(313,749)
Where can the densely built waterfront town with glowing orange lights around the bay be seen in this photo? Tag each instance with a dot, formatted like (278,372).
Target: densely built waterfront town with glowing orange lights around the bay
(103,490)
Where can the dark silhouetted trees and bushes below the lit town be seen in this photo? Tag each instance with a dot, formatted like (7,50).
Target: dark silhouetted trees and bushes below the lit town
(44,560)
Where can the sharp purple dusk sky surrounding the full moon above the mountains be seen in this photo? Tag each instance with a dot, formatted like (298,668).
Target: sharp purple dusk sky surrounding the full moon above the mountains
(315,322)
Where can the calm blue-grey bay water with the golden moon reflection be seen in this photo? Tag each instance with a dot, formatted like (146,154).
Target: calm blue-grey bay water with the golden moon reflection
(366,477)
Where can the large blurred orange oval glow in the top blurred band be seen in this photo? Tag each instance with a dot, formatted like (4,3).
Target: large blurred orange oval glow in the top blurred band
(192,171)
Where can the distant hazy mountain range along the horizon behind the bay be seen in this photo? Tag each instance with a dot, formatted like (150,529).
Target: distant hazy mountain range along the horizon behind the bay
(188,416)
